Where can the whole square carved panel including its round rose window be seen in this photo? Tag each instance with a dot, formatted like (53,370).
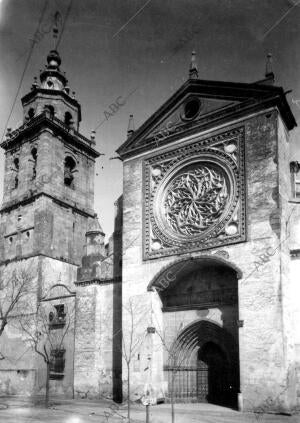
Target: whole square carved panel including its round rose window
(195,196)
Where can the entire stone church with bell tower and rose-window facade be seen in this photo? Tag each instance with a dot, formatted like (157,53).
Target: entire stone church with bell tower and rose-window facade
(196,290)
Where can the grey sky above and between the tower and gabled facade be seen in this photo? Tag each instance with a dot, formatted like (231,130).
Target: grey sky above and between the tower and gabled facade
(109,48)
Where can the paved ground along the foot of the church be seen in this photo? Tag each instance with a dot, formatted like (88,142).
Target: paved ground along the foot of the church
(18,410)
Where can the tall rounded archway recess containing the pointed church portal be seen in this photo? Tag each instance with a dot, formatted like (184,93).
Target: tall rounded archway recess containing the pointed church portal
(200,314)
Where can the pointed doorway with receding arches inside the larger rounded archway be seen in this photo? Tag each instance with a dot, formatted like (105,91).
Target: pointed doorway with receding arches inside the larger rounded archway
(203,365)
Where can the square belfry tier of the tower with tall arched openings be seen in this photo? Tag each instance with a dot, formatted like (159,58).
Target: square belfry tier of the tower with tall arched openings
(51,153)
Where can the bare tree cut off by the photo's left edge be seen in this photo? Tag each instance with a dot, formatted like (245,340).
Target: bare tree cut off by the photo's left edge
(16,286)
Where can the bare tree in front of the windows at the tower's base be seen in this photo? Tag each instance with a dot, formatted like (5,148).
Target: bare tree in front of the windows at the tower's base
(45,331)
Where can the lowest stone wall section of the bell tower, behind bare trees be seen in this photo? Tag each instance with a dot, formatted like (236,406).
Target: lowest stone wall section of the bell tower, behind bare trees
(23,371)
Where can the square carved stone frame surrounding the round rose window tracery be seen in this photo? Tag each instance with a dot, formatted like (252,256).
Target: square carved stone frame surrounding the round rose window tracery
(215,149)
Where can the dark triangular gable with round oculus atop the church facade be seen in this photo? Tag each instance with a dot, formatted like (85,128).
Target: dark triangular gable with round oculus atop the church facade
(200,105)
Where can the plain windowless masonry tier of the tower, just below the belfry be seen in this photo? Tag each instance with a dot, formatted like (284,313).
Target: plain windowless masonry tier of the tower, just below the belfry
(43,227)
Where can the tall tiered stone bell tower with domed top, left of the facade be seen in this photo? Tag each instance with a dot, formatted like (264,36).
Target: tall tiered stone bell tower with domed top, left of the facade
(47,208)
